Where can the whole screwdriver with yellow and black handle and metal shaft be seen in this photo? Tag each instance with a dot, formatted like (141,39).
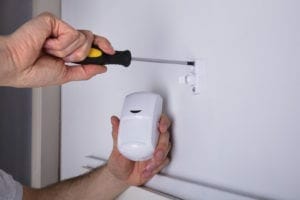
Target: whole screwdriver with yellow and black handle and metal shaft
(124,58)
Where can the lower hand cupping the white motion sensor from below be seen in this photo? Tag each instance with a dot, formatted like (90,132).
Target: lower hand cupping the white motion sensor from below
(138,173)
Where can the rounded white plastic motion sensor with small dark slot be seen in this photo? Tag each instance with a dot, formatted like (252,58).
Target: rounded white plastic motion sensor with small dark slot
(138,130)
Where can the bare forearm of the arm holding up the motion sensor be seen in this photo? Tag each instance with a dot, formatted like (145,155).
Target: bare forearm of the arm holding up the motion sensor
(98,184)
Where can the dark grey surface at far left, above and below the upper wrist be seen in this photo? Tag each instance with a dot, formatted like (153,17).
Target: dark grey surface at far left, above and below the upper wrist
(15,104)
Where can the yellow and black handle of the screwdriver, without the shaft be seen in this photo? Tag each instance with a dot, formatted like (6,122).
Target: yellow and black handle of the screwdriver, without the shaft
(98,57)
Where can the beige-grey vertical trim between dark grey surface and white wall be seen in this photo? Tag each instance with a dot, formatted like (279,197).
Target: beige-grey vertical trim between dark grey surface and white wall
(46,120)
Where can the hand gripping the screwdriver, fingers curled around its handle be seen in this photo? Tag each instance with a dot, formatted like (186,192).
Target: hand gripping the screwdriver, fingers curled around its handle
(36,53)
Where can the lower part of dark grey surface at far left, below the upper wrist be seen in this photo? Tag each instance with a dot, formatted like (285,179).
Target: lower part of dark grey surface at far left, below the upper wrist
(15,133)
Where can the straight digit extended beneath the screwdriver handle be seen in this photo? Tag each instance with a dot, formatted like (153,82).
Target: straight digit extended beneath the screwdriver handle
(82,72)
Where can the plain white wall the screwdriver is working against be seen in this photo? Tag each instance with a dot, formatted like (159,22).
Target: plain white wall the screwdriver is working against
(240,135)
